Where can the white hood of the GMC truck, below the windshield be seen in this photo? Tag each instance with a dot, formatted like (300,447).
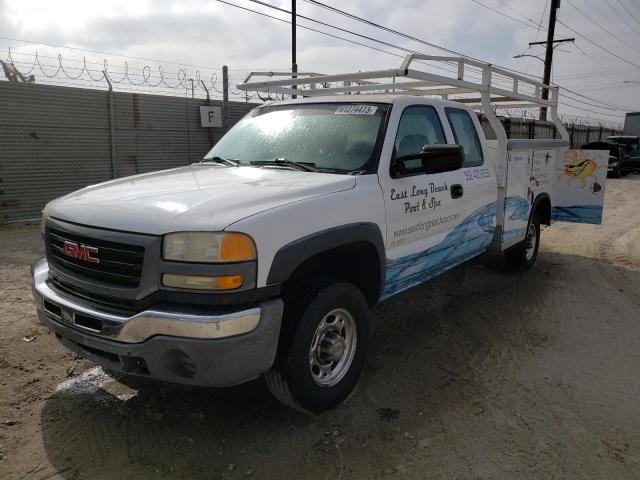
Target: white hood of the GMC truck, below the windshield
(196,197)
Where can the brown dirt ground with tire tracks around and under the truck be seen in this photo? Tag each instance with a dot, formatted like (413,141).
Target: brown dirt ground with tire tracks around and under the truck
(480,374)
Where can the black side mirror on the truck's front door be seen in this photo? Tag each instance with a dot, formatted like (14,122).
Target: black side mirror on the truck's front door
(432,159)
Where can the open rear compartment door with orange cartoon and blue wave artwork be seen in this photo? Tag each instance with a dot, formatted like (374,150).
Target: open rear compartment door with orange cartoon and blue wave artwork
(579,187)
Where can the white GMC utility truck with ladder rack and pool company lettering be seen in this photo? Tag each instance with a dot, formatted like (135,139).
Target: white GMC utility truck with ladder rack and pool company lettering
(264,258)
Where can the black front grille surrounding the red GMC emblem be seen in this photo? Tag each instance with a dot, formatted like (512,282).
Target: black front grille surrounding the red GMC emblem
(119,264)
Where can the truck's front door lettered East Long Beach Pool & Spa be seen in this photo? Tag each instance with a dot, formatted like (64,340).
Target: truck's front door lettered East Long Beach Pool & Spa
(421,210)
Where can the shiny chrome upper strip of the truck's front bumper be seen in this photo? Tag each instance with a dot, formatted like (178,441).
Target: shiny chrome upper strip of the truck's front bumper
(139,327)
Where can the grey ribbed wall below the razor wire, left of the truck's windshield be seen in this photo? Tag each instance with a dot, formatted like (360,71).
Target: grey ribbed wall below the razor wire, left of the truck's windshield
(54,140)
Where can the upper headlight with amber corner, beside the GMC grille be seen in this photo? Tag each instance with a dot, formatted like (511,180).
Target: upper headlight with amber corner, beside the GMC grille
(208,247)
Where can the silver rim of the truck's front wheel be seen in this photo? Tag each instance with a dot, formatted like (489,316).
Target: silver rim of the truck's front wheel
(333,347)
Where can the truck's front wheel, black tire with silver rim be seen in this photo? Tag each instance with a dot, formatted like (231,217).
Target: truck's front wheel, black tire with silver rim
(329,315)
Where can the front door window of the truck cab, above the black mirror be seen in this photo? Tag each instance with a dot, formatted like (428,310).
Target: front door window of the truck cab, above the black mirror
(419,126)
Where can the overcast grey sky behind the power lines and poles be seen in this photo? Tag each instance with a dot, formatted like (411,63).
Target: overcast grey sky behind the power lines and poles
(207,34)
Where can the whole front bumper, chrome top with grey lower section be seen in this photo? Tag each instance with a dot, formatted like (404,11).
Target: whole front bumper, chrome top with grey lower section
(166,344)
